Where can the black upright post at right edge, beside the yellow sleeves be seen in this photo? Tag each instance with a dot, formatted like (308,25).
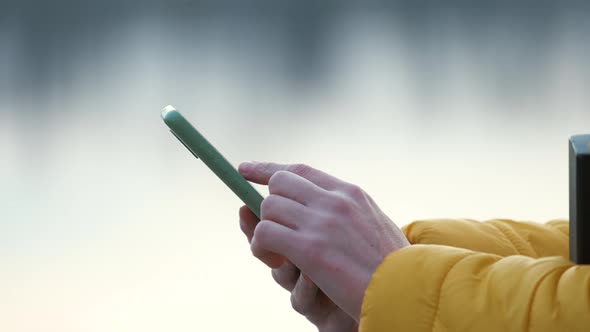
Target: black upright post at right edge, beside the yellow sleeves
(580,199)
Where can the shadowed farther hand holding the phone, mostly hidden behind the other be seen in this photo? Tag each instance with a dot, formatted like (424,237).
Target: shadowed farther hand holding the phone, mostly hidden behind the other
(306,298)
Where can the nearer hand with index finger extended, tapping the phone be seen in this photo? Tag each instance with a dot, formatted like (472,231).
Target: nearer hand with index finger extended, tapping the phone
(331,230)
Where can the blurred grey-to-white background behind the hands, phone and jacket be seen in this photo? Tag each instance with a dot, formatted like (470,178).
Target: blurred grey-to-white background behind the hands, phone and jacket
(436,109)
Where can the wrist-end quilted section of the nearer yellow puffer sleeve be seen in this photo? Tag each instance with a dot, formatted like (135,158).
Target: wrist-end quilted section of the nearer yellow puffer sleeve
(404,291)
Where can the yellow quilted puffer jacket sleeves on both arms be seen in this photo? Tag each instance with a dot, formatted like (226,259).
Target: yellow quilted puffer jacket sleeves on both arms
(463,275)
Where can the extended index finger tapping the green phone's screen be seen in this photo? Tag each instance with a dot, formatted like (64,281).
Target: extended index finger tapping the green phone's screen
(261,172)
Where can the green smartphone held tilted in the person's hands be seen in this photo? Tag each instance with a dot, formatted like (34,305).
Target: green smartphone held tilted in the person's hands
(202,149)
